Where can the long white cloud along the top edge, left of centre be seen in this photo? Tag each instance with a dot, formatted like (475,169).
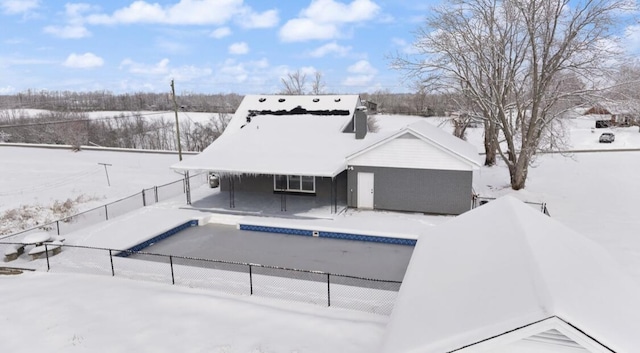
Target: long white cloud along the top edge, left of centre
(185,12)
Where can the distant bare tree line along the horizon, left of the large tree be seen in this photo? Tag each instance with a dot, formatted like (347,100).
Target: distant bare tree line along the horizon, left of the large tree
(420,102)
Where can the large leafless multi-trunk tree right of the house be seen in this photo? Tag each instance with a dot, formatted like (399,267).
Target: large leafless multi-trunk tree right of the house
(507,58)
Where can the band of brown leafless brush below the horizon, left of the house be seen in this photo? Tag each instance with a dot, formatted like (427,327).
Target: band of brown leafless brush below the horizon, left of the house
(123,130)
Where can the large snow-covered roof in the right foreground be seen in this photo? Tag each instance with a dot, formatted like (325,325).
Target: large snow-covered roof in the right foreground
(481,280)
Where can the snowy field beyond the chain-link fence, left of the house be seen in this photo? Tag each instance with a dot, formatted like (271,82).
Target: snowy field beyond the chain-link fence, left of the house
(33,181)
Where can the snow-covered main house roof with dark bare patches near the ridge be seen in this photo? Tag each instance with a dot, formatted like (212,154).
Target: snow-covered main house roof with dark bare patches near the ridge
(309,143)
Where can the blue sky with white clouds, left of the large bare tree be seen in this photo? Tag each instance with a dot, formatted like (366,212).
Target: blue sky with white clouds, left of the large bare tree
(206,46)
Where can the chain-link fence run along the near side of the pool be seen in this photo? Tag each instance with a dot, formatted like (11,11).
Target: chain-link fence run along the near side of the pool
(238,278)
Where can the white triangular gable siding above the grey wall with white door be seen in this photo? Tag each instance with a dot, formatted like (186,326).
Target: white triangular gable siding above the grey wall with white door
(408,151)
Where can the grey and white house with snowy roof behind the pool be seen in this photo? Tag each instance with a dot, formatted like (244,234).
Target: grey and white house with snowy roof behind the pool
(321,147)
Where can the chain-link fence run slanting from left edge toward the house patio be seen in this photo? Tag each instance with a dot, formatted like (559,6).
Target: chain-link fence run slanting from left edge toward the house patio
(114,209)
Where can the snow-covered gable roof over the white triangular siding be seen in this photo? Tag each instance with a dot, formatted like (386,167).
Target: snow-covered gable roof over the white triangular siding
(435,136)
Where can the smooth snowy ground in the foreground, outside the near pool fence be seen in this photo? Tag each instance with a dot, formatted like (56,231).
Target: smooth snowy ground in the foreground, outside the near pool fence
(46,312)
